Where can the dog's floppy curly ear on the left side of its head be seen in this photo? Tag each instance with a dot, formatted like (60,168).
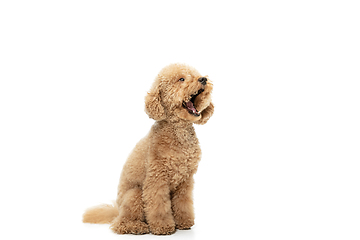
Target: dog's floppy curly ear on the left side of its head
(153,107)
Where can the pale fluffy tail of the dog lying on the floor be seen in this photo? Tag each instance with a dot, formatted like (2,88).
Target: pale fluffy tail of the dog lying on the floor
(104,213)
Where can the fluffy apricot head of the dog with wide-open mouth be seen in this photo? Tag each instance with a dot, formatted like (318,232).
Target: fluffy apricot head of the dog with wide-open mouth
(179,91)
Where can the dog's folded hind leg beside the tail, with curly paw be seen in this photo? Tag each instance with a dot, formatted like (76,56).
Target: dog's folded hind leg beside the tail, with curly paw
(131,217)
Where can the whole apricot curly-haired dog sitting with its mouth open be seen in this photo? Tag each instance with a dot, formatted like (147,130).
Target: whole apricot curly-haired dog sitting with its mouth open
(155,189)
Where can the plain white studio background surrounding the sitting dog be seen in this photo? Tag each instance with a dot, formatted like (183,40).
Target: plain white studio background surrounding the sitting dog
(280,155)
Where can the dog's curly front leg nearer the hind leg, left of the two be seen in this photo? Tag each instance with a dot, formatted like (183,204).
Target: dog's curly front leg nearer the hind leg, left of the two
(156,196)
